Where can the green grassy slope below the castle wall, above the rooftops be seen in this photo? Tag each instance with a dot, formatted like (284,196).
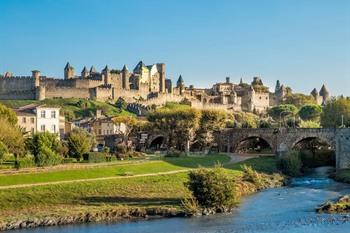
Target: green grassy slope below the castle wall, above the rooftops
(73,108)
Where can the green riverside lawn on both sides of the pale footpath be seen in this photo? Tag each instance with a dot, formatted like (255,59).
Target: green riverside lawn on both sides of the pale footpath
(87,196)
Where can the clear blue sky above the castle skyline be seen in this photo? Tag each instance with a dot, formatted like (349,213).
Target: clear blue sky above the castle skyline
(303,43)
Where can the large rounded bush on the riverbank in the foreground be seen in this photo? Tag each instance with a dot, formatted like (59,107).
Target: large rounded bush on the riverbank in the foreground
(212,188)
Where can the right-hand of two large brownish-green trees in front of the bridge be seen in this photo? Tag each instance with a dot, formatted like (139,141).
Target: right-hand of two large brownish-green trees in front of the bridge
(210,121)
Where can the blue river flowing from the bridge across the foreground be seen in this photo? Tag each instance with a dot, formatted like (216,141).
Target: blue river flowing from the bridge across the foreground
(280,210)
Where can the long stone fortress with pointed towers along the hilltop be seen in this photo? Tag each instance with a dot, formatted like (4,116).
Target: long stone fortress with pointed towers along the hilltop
(147,85)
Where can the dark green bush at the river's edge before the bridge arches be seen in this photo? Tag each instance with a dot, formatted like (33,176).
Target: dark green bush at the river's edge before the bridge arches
(290,164)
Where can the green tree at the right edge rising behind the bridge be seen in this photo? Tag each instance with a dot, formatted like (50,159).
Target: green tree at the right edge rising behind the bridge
(334,111)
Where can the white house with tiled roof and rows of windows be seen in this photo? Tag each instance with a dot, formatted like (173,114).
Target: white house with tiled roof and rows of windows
(33,119)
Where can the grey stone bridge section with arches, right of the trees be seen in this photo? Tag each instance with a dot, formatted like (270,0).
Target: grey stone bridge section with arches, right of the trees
(284,139)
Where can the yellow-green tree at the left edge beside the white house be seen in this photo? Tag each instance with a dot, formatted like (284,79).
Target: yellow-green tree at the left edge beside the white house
(12,137)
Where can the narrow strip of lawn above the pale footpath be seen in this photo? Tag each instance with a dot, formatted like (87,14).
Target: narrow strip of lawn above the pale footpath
(165,165)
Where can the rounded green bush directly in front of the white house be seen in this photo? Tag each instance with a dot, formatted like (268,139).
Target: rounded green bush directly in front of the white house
(45,147)
